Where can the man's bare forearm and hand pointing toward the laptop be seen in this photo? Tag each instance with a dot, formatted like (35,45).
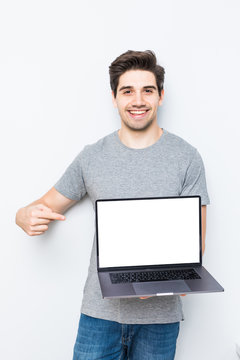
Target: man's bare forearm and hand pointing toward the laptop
(35,217)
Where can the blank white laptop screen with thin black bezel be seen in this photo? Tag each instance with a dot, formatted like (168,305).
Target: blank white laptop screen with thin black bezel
(157,231)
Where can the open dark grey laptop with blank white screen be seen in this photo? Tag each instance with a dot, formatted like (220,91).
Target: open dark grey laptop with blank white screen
(151,247)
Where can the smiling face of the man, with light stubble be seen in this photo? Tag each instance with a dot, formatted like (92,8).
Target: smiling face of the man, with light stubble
(137,99)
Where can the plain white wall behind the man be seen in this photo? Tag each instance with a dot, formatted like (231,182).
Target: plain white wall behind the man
(55,98)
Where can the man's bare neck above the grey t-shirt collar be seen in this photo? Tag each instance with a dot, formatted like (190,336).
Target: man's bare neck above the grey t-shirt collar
(139,139)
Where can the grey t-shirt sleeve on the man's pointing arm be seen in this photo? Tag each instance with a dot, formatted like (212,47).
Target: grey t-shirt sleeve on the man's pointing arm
(71,184)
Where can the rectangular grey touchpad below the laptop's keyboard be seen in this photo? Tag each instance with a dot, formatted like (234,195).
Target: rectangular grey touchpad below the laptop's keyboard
(150,288)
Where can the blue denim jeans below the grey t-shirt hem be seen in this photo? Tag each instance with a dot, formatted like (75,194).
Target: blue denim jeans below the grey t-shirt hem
(108,340)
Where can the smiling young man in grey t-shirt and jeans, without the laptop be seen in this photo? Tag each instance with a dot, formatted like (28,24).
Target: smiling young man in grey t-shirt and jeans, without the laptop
(139,160)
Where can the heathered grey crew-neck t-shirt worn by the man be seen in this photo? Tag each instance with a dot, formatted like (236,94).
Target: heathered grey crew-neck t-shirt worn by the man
(109,169)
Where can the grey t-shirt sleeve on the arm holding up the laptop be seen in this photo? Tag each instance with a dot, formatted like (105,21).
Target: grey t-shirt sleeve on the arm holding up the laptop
(195,181)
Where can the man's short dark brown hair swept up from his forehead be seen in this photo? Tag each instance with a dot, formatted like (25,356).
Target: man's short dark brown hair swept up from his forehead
(135,60)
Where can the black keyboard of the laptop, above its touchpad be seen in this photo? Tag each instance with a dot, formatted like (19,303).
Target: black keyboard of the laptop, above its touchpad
(159,275)
